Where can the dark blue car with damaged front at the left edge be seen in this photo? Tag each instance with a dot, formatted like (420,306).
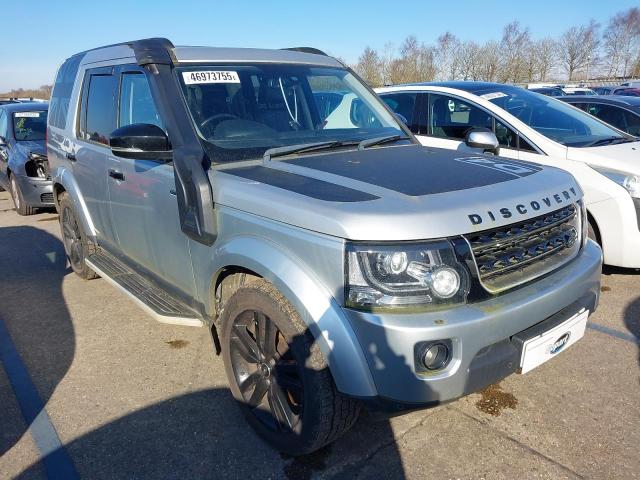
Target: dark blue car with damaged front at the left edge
(24,169)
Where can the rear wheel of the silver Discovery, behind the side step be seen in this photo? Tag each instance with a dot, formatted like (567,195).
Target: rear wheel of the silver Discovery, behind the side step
(76,245)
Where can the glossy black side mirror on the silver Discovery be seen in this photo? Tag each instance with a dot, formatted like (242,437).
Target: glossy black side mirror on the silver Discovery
(141,141)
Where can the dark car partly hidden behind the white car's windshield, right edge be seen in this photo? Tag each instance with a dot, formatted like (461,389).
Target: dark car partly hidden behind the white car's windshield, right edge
(623,112)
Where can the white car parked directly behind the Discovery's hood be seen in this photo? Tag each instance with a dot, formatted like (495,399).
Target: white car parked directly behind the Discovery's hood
(529,126)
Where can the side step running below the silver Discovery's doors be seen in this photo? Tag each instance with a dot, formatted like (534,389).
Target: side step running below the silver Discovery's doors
(155,301)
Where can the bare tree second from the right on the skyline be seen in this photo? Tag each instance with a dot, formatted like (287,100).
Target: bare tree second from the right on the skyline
(579,49)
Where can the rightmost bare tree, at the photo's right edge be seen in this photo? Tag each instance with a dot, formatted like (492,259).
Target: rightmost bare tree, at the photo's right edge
(621,42)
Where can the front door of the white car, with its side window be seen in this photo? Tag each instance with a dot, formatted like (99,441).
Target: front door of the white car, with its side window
(449,118)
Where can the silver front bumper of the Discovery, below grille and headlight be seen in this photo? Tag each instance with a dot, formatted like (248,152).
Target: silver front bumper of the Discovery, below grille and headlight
(482,336)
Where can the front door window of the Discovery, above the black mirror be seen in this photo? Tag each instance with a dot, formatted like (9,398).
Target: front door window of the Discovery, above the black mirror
(136,102)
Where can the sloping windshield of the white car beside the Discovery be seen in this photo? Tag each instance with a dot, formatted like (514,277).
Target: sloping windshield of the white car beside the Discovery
(553,118)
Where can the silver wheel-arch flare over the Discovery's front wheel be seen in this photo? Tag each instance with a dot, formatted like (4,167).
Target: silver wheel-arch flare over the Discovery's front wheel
(315,304)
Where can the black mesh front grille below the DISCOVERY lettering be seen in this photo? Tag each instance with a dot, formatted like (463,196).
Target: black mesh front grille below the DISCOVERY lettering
(520,252)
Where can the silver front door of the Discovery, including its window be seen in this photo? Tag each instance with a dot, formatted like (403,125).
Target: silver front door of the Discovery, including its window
(144,208)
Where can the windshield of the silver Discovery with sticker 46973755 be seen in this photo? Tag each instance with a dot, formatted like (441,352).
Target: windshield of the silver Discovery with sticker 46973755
(241,111)
